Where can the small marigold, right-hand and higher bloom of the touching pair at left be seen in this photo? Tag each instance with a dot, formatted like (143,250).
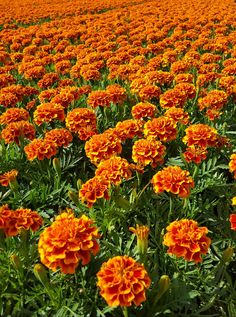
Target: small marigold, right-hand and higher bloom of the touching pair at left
(61,137)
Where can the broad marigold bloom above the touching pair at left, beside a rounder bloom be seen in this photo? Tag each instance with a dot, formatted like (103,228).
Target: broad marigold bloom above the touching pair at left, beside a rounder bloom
(48,112)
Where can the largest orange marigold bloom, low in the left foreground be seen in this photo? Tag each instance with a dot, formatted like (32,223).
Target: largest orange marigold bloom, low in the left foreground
(67,242)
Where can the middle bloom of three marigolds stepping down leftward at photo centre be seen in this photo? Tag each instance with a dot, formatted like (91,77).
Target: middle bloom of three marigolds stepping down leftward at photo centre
(114,169)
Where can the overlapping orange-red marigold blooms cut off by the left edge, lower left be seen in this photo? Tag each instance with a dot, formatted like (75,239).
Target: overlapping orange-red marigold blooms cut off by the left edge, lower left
(14,221)
